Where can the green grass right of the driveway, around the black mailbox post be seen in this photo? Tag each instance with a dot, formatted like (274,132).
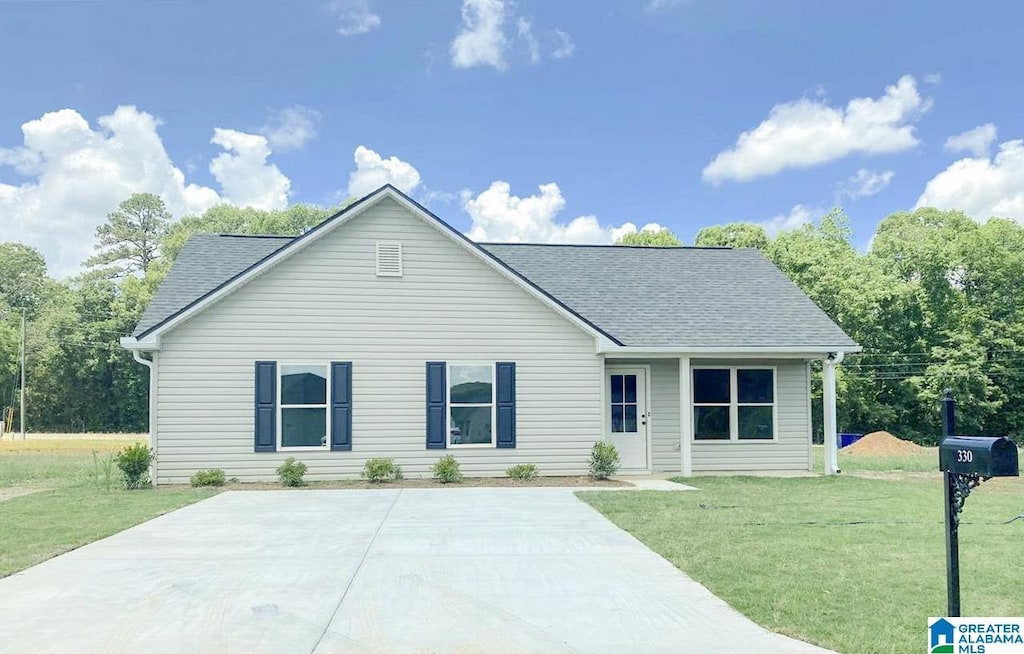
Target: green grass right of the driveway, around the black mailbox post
(851,563)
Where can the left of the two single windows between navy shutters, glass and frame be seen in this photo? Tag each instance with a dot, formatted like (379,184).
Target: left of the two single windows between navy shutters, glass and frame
(304,407)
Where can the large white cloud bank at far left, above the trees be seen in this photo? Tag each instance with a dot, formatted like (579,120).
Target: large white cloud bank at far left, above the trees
(77,175)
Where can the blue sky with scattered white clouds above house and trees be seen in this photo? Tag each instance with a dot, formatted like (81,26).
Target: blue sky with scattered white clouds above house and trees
(622,105)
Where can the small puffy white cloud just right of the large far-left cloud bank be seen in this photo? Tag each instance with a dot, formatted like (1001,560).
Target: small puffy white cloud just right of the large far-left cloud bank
(245,176)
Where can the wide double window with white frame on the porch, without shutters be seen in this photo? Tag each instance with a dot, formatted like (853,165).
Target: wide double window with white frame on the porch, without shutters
(734,404)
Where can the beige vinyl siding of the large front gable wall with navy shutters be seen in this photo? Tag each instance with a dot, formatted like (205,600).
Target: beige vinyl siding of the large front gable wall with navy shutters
(326,303)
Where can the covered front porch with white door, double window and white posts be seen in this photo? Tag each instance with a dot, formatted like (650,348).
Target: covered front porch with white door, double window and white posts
(703,412)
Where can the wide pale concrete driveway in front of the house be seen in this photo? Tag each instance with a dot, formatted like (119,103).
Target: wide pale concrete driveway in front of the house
(413,571)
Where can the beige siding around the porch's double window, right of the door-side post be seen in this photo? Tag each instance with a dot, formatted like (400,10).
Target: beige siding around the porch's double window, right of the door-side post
(791,450)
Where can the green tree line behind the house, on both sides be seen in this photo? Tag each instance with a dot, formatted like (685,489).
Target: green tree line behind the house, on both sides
(933,301)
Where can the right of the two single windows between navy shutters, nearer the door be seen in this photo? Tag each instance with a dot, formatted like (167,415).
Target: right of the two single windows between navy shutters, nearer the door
(472,405)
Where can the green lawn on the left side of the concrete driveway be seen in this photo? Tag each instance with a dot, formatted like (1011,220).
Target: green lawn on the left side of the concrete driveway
(71,507)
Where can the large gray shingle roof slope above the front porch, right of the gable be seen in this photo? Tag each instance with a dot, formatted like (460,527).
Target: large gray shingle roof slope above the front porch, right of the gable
(677,297)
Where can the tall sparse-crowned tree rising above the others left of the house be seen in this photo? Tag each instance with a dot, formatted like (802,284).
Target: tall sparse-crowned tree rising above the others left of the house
(130,241)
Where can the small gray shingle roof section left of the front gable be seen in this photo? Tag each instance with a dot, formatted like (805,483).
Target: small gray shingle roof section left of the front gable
(206,263)
